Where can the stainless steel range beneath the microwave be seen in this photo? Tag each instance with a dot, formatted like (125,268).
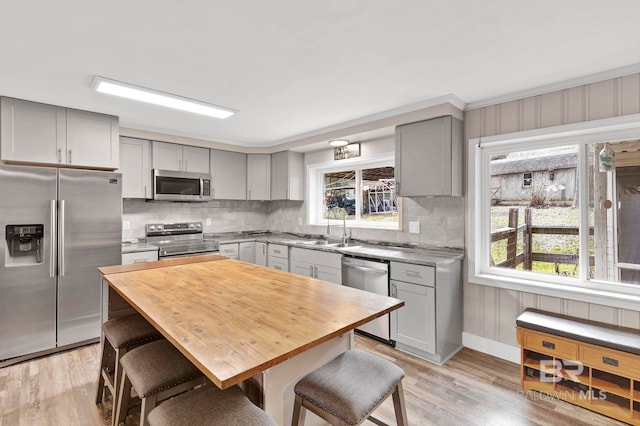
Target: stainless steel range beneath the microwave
(179,239)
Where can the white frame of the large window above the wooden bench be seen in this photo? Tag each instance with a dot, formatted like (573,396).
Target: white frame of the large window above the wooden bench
(478,222)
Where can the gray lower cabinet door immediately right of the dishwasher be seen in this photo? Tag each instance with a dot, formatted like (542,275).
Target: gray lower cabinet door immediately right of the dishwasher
(415,323)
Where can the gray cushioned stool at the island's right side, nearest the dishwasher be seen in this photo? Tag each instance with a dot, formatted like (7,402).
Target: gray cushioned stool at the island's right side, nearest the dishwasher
(348,389)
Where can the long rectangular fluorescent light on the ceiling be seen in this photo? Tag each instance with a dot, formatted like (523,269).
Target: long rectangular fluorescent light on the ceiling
(129,91)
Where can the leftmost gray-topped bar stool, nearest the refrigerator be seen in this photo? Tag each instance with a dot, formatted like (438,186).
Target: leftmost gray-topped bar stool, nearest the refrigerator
(120,335)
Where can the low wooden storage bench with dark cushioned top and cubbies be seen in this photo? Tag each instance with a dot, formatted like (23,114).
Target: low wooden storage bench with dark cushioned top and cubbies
(589,364)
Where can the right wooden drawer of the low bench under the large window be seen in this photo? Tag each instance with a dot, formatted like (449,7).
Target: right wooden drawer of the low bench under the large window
(611,360)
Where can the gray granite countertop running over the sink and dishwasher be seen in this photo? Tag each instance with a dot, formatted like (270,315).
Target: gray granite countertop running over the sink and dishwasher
(370,249)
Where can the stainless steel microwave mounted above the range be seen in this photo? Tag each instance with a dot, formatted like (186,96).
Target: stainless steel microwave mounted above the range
(169,185)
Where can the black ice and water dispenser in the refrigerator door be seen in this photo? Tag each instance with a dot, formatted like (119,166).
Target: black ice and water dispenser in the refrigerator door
(24,245)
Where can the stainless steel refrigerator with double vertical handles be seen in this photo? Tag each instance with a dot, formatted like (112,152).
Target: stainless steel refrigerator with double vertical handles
(56,227)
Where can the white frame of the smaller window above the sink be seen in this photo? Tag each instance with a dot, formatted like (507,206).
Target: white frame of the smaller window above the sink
(315,190)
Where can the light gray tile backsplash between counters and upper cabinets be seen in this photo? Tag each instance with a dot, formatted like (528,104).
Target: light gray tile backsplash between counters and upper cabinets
(441,219)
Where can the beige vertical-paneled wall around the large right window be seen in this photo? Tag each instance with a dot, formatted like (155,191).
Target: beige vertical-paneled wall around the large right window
(490,312)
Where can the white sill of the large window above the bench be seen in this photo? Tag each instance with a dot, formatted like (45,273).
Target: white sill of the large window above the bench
(620,296)
